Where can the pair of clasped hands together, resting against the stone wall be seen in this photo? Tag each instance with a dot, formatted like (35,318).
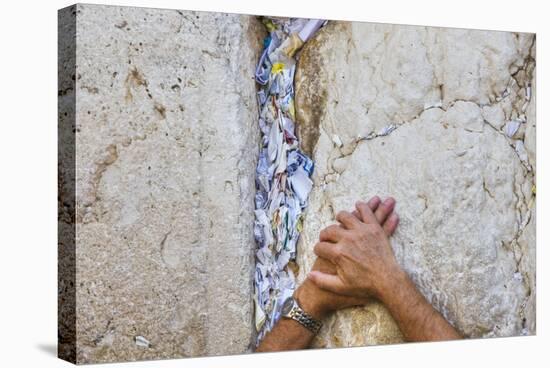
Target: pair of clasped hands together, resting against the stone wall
(355,260)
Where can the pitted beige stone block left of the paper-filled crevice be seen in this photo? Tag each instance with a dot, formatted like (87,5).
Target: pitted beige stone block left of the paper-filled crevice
(166,141)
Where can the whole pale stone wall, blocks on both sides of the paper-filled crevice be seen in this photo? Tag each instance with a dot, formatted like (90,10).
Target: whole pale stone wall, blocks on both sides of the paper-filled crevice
(159,118)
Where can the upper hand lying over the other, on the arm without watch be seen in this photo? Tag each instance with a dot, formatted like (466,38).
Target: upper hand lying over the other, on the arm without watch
(361,253)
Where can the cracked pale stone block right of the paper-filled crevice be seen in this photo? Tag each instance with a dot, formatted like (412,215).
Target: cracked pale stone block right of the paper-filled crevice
(464,196)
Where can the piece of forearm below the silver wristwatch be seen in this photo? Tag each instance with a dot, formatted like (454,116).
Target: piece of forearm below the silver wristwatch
(287,334)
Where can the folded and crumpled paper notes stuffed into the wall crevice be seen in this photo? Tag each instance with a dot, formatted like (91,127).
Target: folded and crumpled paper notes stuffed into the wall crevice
(283,172)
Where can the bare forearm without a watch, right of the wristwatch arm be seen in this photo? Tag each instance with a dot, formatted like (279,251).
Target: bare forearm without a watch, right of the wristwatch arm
(416,318)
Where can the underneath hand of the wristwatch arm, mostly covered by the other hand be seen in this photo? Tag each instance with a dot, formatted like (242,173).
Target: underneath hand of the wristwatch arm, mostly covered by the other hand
(319,302)
